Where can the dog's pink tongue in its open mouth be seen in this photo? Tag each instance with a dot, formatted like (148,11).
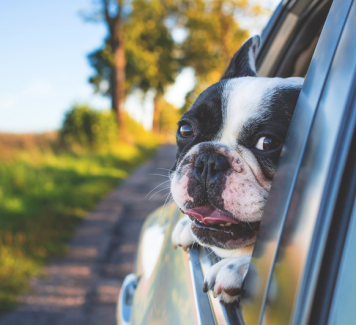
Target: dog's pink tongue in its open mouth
(209,215)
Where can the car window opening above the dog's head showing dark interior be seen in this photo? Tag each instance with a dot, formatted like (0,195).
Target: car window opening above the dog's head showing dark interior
(287,49)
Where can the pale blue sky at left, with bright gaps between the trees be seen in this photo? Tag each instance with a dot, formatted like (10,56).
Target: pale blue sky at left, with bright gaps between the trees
(44,70)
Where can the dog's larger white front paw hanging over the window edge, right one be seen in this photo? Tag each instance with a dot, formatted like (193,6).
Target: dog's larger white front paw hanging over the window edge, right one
(225,278)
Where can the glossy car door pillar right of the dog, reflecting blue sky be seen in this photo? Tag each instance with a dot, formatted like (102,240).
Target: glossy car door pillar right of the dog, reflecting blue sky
(285,285)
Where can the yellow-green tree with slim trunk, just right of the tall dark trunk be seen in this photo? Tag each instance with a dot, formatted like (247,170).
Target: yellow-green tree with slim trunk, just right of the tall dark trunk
(151,52)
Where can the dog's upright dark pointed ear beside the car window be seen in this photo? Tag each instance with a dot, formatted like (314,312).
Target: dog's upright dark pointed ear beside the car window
(243,62)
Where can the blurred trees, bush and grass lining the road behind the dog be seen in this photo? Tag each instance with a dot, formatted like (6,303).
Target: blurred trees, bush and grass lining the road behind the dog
(49,182)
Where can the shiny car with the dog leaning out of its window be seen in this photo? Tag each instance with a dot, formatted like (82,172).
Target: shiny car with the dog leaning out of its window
(303,264)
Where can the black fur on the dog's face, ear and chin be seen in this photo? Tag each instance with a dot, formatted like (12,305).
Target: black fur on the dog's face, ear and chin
(206,117)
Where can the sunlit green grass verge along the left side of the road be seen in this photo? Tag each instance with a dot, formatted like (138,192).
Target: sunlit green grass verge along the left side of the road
(43,197)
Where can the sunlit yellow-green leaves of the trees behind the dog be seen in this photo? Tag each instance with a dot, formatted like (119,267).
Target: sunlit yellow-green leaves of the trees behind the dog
(153,58)
